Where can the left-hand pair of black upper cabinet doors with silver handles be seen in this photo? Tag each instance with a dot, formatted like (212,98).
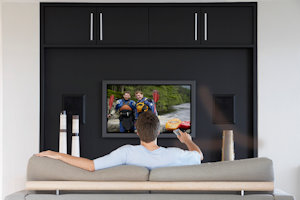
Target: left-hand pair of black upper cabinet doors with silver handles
(95,25)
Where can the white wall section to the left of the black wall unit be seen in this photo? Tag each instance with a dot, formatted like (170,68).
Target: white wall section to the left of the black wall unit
(21,91)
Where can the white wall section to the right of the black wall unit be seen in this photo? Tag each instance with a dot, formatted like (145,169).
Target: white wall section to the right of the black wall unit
(279,89)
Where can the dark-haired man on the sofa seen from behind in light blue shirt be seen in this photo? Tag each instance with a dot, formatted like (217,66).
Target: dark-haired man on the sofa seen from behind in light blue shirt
(147,154)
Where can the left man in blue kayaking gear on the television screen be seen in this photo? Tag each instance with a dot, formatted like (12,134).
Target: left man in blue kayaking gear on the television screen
(126,109)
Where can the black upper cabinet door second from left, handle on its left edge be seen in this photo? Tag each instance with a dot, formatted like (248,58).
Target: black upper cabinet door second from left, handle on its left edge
(123,25)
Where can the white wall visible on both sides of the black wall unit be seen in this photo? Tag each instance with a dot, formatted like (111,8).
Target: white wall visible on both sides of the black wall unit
(278,89)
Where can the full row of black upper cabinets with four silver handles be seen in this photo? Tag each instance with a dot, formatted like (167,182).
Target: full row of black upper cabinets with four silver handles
(149,25)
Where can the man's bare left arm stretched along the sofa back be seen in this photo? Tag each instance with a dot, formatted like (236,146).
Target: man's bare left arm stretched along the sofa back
(83,163)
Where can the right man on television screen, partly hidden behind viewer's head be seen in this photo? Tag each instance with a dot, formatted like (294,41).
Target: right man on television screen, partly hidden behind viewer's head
(143,104)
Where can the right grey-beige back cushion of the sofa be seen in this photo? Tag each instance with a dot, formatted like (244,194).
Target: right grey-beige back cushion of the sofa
(254,169)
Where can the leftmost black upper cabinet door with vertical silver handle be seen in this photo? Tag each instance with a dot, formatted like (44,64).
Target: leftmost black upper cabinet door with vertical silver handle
(69,25)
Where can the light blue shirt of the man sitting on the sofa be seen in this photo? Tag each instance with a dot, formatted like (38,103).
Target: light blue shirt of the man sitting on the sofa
(140,156)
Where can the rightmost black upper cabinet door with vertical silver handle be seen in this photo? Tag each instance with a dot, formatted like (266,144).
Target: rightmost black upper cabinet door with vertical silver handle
(227,25)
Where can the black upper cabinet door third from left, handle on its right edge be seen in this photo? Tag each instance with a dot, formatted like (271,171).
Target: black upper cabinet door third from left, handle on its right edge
(174,25)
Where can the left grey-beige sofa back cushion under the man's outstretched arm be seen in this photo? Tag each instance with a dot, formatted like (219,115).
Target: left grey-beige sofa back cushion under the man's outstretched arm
(48,169)
